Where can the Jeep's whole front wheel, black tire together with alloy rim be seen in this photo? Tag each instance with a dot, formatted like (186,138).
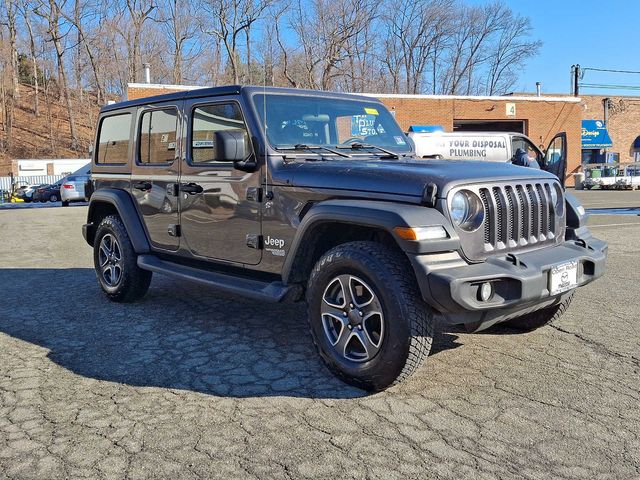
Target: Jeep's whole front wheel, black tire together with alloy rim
(367,318)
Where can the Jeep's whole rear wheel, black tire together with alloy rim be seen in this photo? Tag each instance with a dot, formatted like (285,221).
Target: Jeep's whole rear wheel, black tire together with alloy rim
(115,262)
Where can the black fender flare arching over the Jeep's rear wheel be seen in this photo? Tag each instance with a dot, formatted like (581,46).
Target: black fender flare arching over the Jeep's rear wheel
(124,205)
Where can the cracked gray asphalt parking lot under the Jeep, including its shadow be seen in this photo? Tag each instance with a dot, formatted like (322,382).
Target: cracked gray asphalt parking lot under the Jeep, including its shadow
(190,383)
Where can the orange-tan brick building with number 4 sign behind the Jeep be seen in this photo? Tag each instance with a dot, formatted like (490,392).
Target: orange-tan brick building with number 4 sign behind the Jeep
(540,118)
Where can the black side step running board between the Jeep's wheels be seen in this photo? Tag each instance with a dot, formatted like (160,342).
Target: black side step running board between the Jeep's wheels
(272,292)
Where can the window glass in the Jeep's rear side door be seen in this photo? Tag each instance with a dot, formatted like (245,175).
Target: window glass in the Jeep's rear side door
(157,137)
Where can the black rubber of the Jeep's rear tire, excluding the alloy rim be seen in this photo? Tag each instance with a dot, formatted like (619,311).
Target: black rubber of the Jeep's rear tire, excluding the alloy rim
(134,281)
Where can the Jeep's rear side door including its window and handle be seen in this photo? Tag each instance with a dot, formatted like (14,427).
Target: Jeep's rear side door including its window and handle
(154,174)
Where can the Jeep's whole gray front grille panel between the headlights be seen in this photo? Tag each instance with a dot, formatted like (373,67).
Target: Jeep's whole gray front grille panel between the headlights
(517,216)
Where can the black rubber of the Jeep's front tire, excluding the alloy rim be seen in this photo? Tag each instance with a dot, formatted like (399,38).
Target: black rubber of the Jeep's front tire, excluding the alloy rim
(408,320)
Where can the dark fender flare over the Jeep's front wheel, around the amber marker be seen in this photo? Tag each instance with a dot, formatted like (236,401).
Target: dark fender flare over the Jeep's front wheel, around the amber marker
(375,214)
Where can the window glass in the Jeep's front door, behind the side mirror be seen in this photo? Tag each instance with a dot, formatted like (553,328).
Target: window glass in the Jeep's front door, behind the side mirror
(206,121)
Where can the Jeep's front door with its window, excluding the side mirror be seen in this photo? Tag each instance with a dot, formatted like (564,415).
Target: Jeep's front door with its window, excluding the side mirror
(219,203)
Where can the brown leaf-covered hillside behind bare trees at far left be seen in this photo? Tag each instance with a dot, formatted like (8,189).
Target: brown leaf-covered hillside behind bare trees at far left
(47,135)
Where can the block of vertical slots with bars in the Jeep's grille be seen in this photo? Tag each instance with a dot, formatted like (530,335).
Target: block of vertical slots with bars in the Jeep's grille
(517,215)
